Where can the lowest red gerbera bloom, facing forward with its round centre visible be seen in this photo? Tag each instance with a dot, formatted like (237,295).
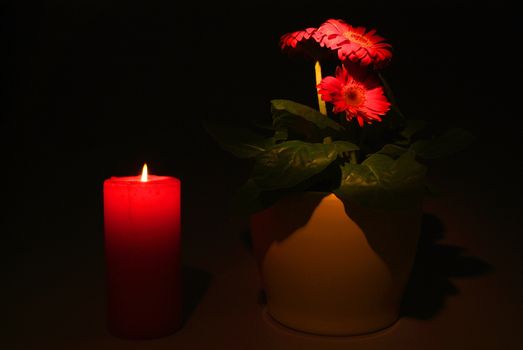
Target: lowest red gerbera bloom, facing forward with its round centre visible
(356,92)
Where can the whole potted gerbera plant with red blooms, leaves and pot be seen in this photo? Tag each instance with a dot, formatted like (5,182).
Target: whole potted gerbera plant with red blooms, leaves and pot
(335,193)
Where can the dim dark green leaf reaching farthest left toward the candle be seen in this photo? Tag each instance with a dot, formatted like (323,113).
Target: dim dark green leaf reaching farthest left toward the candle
(241,142)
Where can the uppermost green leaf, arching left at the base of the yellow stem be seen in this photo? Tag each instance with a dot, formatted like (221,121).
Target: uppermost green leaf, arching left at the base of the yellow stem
(297,109)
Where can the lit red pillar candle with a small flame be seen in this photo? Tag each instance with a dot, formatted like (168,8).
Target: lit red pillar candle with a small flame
(142,247)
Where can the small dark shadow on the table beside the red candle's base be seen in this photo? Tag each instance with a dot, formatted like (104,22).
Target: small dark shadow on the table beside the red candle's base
(195,283)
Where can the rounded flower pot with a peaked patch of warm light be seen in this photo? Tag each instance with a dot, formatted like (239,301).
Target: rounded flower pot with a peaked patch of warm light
(334,269)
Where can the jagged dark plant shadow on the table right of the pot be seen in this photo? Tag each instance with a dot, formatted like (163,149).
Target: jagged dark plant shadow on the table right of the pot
(434,266)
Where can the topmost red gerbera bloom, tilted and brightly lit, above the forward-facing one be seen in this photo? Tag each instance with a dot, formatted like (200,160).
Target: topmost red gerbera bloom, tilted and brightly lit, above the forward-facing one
(354,43)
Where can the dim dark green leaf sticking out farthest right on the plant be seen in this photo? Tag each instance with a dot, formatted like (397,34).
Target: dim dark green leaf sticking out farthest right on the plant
(452,141)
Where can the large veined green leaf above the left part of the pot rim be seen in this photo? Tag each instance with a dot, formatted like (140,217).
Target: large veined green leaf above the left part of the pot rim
(288,163)
